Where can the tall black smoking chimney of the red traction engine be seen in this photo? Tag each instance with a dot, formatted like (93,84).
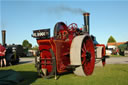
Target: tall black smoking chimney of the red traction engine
(86,22)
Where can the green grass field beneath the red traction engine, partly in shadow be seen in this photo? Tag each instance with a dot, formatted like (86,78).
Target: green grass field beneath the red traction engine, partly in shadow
(108,75)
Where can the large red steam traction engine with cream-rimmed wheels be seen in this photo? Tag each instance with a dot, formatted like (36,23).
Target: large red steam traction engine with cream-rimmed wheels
(70,49)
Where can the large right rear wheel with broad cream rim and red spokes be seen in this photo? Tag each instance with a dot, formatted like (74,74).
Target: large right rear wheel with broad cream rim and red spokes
(82,53)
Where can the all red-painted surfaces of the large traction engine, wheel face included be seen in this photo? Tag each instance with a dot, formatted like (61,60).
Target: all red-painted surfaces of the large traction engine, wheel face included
(61,48)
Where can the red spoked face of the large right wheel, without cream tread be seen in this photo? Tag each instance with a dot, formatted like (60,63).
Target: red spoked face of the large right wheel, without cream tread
(87,56)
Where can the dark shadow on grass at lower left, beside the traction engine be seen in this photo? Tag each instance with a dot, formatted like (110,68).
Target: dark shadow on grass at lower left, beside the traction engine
(28,77)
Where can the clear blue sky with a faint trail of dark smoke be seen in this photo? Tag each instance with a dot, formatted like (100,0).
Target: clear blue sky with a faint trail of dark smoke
(20,17)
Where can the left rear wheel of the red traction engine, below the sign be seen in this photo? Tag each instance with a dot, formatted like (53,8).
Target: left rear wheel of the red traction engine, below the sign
(46,68)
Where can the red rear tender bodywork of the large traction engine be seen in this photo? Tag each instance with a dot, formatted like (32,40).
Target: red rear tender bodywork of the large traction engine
(61,50)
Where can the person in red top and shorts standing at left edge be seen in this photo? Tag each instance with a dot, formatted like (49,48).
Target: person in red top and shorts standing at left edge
(2,55)
